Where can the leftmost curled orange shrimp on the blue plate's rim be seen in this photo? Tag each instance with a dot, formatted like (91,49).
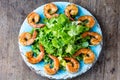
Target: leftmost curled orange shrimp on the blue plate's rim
(26,38)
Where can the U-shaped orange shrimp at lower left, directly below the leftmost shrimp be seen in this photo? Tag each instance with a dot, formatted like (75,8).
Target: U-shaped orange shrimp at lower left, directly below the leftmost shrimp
(37,59)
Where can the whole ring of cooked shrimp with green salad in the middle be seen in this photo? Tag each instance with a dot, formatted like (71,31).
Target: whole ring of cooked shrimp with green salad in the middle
(60,39)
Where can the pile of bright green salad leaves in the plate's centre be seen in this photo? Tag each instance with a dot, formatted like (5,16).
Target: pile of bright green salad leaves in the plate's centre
(61,38)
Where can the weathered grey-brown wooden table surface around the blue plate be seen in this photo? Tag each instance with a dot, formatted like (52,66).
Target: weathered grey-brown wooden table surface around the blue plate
(12,15)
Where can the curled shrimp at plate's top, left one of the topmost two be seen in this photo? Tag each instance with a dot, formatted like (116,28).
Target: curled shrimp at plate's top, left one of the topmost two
(50,10)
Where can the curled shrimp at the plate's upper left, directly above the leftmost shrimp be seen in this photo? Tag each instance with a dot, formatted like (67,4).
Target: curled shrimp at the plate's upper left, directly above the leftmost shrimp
(33,18)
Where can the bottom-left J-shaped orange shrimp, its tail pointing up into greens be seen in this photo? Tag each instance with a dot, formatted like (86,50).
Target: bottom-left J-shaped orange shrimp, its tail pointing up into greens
(53,70)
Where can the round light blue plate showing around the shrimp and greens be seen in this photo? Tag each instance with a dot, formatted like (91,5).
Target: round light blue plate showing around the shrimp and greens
(38,68)
